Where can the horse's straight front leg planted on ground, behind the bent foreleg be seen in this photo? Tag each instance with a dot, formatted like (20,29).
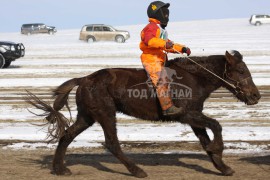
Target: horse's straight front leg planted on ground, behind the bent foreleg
(215,158)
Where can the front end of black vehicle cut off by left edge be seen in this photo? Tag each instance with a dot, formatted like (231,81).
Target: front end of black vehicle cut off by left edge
(9,51)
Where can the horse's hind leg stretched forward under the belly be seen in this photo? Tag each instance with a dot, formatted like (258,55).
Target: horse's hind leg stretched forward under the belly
(111,140)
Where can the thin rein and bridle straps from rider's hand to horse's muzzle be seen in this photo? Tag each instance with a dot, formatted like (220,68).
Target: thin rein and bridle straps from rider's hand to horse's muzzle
(235,87)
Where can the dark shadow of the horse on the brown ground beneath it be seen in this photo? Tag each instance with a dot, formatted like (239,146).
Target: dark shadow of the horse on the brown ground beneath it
(96,160)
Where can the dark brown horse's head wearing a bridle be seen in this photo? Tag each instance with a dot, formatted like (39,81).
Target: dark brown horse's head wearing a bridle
(237,73)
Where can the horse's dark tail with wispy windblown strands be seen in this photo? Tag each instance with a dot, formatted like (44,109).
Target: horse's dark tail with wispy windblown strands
(57,122)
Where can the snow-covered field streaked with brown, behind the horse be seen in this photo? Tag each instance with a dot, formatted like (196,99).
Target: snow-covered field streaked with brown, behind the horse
(51,60)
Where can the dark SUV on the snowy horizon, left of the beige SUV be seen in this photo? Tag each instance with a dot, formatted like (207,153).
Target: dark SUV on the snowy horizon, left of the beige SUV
(35,28)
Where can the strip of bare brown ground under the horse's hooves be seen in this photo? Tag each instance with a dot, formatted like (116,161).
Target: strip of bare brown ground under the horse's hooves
(96,163)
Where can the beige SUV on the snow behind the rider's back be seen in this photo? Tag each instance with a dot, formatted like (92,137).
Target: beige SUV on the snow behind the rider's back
(101,32)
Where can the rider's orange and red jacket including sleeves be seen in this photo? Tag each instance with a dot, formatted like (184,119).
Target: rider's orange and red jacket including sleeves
(153,41)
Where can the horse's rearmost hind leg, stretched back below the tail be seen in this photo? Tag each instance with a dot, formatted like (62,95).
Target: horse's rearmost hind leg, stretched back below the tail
(79,126)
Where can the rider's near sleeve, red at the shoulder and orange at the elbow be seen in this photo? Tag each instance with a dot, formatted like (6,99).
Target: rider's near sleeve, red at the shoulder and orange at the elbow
(150,37)
